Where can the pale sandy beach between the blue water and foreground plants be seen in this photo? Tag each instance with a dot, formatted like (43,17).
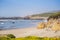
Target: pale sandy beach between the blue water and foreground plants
(31,31)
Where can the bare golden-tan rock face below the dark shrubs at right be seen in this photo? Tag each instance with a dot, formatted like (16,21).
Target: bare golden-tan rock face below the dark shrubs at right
(53,24)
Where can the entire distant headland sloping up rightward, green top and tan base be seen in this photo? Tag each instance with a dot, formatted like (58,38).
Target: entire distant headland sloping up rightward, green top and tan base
(41,15)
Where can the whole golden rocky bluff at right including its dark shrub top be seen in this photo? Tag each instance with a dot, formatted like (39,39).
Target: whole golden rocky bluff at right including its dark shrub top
(53,22)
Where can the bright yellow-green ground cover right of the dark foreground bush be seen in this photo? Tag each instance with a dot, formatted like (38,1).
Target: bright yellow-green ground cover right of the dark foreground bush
(36,38)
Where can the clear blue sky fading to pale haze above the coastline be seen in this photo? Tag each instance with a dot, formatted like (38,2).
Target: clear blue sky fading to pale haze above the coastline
(11,8)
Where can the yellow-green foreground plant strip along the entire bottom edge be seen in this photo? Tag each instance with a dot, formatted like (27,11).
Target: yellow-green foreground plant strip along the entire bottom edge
(30,38)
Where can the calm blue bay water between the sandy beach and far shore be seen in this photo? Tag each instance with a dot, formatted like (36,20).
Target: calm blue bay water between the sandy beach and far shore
(10,24)
